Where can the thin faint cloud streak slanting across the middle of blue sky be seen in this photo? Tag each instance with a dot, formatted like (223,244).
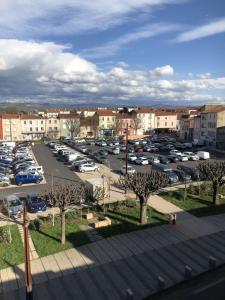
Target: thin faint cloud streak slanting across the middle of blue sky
(112,47)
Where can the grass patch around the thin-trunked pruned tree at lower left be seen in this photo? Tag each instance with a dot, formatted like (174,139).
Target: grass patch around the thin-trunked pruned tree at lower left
(47,240)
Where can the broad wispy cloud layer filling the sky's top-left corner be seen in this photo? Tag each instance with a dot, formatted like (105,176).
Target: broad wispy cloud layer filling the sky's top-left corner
(23,18)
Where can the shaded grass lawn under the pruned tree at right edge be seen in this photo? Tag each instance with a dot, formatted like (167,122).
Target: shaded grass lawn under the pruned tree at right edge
(199,206)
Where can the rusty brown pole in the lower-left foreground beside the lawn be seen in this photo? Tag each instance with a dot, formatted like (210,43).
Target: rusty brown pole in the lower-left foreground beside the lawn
(28,278)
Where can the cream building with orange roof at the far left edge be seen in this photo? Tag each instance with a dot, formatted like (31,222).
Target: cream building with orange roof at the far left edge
(10,128)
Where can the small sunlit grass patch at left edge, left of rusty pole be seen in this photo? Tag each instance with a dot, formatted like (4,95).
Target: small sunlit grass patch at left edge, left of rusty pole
(12,254)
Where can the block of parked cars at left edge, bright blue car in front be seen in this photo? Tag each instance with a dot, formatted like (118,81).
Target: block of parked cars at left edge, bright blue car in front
(17,164)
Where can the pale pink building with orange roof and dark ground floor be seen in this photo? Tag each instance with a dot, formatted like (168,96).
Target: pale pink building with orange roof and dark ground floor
(165,121)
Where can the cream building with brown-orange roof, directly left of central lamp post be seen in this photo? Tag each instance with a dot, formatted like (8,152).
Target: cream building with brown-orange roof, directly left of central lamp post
(104,123)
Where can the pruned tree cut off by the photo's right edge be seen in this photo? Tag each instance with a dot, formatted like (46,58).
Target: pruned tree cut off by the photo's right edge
(215,172)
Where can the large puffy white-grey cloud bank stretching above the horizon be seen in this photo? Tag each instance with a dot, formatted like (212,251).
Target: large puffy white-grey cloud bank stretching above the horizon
(43,71)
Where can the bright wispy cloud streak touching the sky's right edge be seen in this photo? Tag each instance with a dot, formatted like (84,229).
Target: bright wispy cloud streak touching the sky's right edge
(202,31)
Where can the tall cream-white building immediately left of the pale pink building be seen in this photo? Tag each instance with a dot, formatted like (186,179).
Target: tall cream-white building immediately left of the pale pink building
(145,120)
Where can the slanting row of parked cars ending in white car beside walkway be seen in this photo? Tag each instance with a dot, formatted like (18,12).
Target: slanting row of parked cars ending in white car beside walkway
(71,155)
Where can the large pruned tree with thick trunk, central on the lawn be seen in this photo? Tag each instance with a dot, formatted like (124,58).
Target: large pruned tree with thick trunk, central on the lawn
(143,185)
